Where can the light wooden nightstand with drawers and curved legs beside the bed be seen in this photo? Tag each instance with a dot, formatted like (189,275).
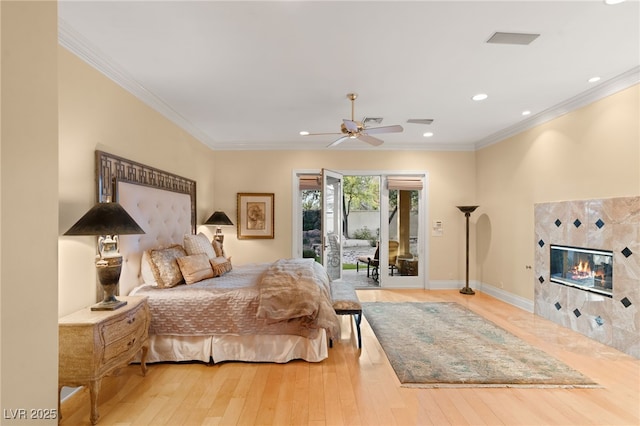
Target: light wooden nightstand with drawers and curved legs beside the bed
(92,344)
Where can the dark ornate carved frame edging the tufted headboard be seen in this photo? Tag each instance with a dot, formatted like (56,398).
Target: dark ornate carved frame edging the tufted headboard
(111,169)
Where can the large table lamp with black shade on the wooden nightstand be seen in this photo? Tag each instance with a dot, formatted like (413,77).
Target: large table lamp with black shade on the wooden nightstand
(107,221)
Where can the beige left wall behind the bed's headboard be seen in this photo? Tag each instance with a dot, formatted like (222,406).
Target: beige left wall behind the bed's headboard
(96,113)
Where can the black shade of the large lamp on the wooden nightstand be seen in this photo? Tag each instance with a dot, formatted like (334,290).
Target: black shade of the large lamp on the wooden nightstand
(105,219)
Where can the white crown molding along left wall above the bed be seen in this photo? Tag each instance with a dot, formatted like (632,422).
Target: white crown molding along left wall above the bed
(78,45)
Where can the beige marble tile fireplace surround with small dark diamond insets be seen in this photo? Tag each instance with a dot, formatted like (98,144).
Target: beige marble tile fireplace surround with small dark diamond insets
(609,224)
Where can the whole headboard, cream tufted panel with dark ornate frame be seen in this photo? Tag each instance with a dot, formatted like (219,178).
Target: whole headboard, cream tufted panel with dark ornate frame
(162,203)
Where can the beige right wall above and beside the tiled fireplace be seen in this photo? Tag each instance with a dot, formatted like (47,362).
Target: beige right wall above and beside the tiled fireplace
(590,153)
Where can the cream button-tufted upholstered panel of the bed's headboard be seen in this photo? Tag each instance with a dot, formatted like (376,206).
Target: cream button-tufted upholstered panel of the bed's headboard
(165,217)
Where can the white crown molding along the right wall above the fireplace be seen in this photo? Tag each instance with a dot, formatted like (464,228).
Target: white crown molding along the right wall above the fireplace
(607,88)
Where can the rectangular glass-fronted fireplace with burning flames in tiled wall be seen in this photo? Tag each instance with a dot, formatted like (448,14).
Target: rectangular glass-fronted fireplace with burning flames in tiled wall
(583,268)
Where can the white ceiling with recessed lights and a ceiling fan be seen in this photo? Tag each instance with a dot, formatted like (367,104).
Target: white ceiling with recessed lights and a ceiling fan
(252,75)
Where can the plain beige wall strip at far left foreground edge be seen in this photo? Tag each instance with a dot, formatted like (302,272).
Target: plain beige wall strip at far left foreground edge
(29,209)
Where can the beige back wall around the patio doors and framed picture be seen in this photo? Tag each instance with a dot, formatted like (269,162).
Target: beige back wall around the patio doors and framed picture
(451,178)
